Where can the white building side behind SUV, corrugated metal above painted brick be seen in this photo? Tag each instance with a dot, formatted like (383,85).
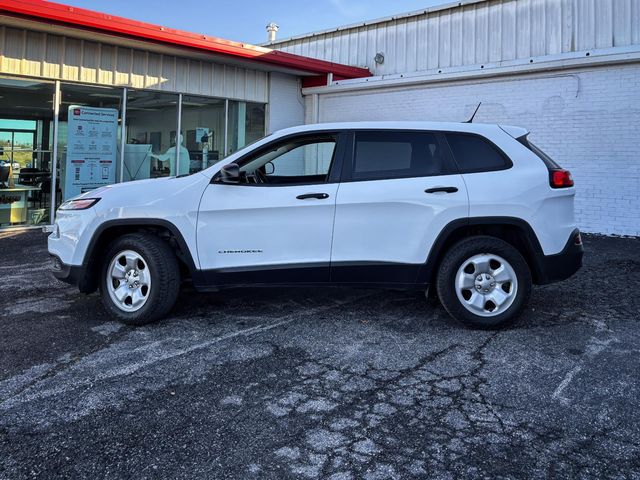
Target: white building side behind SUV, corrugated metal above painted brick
(568,70)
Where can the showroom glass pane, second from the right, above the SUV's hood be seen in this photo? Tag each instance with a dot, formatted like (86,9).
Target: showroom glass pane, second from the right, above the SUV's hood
(203,131)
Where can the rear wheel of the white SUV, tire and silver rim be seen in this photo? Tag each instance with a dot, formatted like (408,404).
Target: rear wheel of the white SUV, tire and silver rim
(484,282)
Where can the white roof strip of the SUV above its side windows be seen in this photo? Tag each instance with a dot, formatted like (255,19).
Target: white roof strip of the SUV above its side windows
(480,128)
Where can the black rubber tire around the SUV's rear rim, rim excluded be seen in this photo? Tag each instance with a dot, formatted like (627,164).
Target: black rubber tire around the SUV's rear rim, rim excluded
(454,259)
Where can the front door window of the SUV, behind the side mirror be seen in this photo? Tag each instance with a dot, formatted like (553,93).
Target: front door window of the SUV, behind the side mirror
(296,161)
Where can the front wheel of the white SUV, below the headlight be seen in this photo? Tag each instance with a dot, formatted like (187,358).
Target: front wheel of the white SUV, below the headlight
(140,279)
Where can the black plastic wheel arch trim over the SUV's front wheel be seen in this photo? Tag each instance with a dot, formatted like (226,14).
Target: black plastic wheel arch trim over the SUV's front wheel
(88,280)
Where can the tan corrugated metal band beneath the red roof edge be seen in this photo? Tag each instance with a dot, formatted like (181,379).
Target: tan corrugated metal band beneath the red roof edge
(37,54)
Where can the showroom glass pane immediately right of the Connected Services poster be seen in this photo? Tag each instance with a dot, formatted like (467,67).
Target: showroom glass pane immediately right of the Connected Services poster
(151,147)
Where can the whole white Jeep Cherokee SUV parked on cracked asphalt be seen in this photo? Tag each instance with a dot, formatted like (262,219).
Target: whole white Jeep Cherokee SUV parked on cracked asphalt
(474,210)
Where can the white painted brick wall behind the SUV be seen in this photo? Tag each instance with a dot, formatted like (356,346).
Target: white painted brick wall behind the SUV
(588,120)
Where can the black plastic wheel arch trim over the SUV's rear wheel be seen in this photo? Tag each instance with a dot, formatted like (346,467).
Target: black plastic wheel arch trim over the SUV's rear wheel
(514,231)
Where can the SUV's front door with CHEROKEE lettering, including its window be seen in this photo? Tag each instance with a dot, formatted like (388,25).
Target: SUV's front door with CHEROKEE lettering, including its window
(276,224)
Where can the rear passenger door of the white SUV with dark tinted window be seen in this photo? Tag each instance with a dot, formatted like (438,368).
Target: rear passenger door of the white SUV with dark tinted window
(399,189)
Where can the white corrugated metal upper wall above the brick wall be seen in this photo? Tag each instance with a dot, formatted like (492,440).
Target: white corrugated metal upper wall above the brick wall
(476,33)
